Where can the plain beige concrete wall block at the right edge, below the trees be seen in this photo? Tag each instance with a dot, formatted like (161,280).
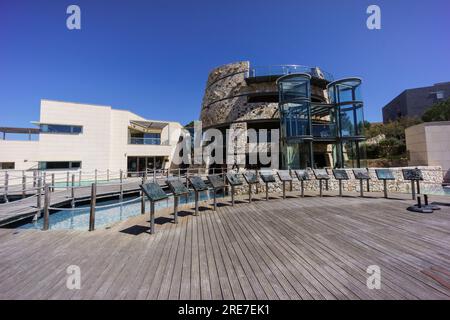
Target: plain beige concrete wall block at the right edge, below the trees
(429,144)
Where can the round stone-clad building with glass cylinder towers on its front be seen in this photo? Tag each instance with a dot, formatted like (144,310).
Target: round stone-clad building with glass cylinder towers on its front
(320,120)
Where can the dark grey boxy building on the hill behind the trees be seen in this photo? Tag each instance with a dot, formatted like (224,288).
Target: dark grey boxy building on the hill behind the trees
(414,102)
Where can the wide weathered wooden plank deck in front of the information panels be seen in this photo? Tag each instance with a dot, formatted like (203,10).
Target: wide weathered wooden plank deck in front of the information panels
(298,248)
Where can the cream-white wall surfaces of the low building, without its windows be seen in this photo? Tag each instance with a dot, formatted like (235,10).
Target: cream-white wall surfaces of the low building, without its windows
(102,145)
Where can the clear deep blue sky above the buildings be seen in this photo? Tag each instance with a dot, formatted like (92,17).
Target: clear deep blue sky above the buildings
(153,57)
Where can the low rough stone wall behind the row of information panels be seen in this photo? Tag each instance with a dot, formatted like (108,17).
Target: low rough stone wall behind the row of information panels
(433,177)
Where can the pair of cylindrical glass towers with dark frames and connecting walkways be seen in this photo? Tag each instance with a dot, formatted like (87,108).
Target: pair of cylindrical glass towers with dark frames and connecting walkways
(326,134)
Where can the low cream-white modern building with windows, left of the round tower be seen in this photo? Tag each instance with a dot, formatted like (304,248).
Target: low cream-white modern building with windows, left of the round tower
(74,136)
